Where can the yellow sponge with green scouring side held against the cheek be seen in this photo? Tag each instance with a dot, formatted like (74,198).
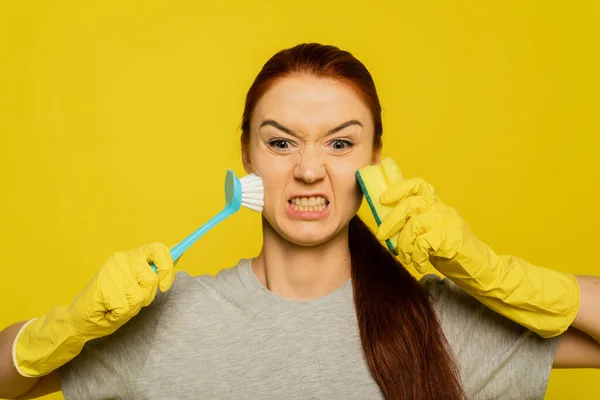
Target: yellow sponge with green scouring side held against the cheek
(374,180)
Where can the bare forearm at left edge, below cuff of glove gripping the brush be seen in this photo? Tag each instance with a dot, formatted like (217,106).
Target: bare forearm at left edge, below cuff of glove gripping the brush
(12,384)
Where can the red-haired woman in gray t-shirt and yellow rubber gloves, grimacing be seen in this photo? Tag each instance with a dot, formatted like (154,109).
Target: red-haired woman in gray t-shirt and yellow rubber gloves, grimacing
(324,311)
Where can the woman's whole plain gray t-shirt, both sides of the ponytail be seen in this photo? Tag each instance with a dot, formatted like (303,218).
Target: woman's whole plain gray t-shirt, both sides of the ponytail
(228,337)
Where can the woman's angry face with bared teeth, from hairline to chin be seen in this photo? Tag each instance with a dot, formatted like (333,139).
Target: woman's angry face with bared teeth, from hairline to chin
(308,137)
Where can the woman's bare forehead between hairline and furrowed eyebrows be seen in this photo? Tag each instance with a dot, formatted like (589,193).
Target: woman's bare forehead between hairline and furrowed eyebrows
(309,102)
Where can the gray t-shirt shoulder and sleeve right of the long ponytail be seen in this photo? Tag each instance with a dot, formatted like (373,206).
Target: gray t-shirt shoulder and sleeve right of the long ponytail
(492,351)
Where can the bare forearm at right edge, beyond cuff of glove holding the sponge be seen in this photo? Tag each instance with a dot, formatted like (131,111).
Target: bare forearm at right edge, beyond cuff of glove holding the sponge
(588,317)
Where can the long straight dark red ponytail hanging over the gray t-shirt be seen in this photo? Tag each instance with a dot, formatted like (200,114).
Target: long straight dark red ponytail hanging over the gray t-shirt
(401,336)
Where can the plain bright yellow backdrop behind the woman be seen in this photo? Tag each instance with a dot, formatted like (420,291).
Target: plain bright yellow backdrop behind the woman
(119,119)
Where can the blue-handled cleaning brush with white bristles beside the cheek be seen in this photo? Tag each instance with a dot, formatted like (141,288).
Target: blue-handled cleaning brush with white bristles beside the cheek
(247,191)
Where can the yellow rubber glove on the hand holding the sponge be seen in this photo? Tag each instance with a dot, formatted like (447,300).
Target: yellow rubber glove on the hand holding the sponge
(431,233)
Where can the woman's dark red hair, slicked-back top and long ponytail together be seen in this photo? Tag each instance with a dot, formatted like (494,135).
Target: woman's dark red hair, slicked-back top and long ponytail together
(401,336)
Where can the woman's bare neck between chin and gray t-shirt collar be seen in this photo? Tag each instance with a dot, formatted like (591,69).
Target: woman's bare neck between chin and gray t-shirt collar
(302,272)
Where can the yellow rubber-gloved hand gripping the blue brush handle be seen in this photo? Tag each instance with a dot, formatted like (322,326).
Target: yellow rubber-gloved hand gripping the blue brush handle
(122,286)
